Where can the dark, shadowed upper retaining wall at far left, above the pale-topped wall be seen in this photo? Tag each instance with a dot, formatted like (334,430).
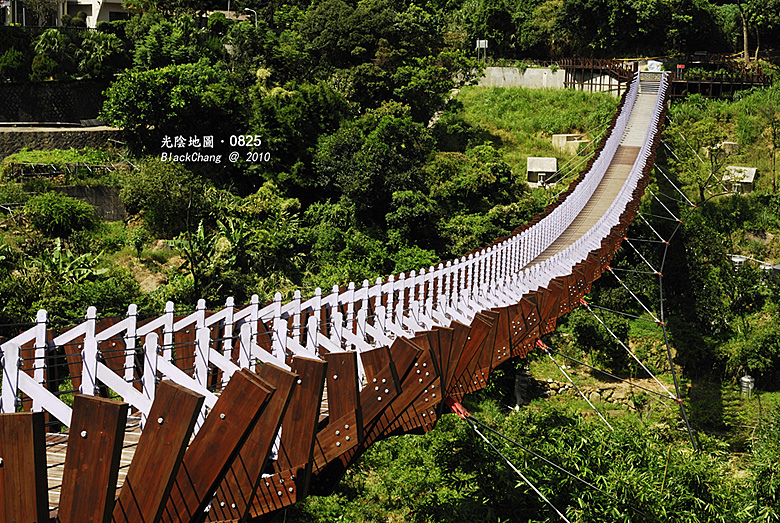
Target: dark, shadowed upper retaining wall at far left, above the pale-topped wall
(65,101)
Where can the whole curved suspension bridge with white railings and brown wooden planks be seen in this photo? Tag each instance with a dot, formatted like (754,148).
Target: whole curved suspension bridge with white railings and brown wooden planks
(232,414)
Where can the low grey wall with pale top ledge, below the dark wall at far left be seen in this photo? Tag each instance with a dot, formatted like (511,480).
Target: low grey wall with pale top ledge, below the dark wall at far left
(14,139)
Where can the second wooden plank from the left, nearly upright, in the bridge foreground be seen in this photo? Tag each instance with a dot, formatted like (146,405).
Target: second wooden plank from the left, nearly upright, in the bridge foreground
(92,461)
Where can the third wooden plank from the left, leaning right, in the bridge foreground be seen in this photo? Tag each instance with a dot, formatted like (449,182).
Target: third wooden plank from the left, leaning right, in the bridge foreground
(158,455)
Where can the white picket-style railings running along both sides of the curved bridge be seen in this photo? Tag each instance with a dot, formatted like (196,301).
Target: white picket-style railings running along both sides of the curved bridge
(203,349)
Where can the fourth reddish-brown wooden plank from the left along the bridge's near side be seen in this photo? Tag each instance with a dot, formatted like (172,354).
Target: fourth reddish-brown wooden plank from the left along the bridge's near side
(214,449)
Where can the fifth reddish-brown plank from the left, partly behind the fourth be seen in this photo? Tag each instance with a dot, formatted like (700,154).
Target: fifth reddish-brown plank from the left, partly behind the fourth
(235,494)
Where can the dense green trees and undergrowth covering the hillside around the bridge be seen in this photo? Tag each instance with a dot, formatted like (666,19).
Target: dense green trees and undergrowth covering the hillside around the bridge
(359,160)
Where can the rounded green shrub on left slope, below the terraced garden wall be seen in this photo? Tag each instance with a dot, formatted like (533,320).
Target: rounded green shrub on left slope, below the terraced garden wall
(55,214)
